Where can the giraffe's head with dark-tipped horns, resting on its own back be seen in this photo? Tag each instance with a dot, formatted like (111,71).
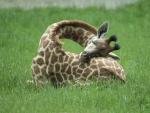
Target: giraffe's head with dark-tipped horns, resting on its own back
(99,46)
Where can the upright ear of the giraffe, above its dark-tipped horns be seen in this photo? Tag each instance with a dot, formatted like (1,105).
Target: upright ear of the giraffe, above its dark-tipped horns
(103,29)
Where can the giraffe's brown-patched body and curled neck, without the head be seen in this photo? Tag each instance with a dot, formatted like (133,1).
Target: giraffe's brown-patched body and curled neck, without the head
(52,64)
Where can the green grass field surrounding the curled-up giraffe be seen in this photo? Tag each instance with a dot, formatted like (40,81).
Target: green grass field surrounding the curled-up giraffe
(20,31)
